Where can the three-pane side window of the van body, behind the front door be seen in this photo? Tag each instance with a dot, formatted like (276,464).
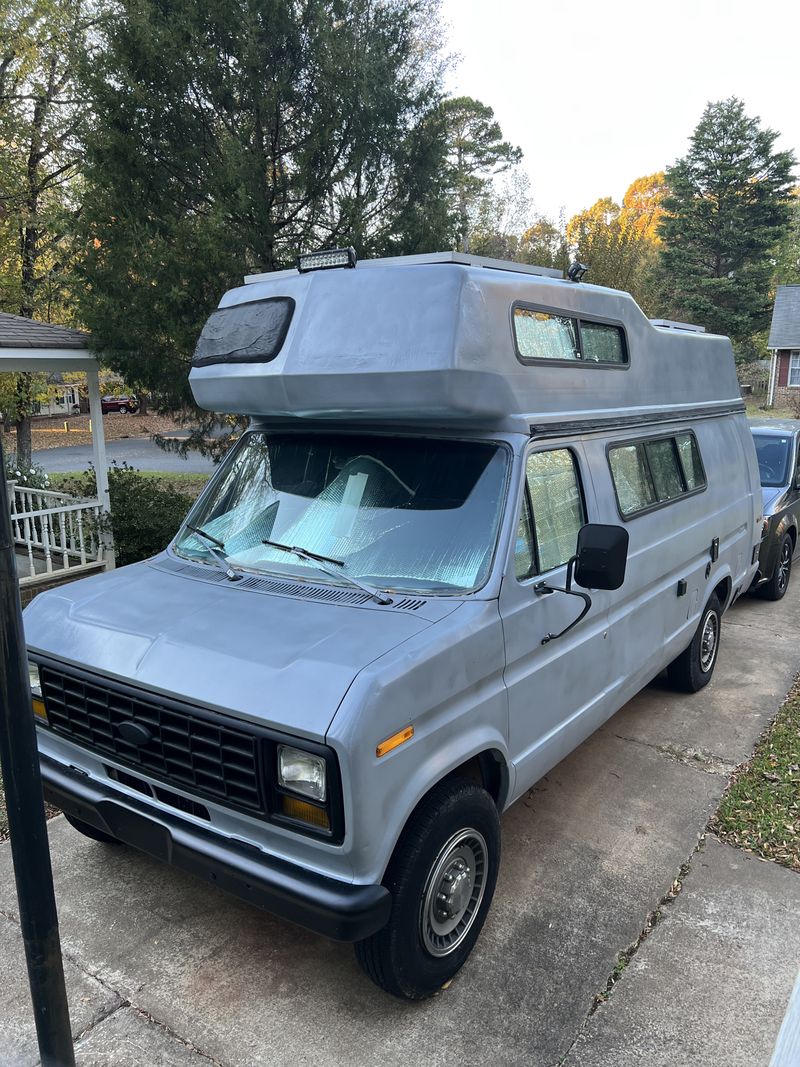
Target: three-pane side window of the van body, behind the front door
(655,471)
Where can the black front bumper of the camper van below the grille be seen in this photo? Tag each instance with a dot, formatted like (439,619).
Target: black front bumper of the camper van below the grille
(341,911)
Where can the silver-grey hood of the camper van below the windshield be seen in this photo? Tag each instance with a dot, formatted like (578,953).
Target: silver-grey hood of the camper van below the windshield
(279,661)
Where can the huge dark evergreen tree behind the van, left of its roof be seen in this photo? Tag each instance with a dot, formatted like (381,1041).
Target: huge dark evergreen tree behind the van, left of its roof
(227,136)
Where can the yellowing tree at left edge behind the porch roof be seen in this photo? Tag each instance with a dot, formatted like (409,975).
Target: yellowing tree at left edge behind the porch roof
(40,158)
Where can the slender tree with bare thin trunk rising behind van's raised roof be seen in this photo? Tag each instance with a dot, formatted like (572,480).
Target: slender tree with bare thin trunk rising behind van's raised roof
(476,155)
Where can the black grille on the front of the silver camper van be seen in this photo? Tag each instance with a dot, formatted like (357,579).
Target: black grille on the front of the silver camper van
(201,753)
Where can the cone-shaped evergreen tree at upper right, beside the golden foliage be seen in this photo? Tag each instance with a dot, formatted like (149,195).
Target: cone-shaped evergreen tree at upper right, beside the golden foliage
(727,211)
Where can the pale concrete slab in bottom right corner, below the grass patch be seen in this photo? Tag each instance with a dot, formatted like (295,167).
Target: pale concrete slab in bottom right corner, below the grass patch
(712,983)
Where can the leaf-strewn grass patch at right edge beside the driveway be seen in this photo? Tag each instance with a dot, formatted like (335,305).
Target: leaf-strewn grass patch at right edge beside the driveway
(761,810)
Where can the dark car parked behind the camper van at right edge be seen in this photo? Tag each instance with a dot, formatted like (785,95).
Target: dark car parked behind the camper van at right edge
(779,464)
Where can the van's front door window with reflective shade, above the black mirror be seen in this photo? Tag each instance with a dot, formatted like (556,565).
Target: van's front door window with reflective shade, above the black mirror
(557,504)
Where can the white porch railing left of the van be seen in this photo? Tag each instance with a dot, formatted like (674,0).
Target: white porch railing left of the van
(57,533)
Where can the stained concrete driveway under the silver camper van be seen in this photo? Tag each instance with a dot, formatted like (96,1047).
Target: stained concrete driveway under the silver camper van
(164,969)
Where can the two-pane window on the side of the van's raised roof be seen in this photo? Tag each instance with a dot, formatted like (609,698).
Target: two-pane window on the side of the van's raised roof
(548,336)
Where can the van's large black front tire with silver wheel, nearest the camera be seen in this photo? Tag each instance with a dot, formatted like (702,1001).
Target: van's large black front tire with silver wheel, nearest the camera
(442,879)
